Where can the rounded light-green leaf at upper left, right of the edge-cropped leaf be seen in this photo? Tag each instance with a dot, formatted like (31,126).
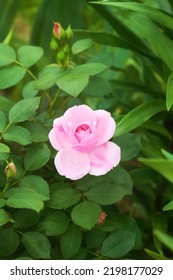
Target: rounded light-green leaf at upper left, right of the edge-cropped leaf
(29,55)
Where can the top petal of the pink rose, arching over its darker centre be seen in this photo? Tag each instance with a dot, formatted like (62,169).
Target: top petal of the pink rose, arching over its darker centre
(78,115)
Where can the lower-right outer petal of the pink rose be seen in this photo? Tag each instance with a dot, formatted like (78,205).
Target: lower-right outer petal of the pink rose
(103,158)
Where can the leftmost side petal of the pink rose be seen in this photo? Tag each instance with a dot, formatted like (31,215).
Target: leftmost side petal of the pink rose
(57,136)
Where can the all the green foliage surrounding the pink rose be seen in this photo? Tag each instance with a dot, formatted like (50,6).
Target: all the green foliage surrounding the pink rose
(120,60)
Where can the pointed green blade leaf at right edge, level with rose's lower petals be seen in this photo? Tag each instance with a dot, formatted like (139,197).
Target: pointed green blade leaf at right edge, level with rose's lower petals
(161,165)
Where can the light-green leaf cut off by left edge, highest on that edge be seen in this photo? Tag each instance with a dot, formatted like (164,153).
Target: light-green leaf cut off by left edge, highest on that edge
(7,55)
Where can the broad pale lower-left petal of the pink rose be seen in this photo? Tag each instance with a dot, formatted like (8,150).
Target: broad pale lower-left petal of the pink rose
(72,164)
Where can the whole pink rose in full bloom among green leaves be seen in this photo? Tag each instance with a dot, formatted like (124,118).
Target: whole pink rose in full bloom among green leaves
(81,137)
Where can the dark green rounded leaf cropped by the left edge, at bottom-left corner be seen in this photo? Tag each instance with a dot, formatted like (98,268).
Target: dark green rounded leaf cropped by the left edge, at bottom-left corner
(9,242)
